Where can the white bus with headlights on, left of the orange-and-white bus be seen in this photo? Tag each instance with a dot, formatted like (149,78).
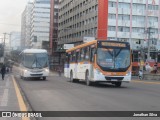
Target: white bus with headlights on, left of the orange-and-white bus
(34,64)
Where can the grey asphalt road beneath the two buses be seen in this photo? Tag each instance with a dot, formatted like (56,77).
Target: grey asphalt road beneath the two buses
(58,94)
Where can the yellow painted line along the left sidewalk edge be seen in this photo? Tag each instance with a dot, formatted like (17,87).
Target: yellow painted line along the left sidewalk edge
(20,99)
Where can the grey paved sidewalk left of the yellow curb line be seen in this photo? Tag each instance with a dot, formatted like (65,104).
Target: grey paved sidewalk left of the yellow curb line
(8,97)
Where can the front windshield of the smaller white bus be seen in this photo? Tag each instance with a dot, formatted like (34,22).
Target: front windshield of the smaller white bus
(35,60)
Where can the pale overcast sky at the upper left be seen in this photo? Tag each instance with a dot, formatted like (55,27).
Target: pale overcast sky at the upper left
(10,15)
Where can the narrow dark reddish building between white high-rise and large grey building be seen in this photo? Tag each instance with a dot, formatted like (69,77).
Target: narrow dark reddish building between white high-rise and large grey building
(56,61)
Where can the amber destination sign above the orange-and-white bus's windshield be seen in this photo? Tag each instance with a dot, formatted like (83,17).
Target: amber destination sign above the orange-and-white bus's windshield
(113,44)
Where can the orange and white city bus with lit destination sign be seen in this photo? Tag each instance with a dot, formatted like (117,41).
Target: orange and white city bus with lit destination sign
(99,61)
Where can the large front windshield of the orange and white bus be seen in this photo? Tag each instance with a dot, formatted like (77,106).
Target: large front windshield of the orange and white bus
(113,58)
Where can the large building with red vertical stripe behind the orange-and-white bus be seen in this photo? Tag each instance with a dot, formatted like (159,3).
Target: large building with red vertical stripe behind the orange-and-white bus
(135,21)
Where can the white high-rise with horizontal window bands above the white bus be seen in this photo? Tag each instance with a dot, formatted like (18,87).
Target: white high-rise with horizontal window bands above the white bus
(40,24)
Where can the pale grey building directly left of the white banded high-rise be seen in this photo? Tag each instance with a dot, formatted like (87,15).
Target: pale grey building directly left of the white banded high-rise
(26,26)
